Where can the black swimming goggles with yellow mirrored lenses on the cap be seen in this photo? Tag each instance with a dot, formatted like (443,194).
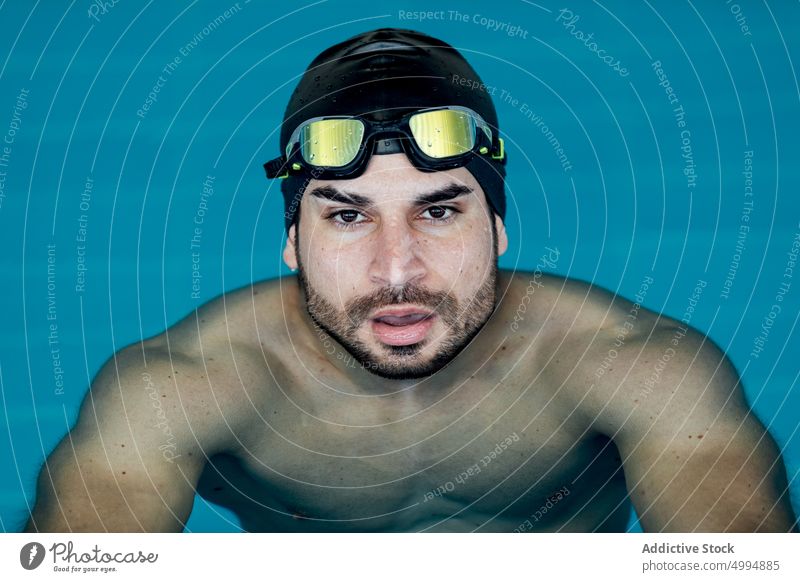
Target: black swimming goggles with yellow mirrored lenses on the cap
(439,138)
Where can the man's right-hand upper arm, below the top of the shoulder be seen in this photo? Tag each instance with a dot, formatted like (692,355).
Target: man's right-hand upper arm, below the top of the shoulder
(695,456)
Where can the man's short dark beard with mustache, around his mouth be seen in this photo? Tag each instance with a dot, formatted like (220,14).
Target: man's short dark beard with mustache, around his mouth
(462,321)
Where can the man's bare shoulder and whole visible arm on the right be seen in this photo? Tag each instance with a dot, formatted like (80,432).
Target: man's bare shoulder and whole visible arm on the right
(695,457)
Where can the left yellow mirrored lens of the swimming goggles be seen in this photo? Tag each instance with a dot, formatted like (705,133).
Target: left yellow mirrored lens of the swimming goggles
(331,142)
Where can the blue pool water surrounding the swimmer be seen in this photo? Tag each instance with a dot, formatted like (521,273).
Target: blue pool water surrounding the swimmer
(627,152)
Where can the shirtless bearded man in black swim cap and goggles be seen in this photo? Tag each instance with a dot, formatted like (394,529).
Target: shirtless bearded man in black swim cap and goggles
(401,382)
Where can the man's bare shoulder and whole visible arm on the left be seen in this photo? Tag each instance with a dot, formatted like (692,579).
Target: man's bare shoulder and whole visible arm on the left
(156,411)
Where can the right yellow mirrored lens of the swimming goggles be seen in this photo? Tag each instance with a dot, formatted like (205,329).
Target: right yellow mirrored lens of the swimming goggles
(443,133)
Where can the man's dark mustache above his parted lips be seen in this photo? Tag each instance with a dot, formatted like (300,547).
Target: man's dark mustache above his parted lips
(440,302)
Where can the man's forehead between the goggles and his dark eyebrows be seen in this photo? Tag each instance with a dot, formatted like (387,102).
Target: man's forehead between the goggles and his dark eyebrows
(393,177)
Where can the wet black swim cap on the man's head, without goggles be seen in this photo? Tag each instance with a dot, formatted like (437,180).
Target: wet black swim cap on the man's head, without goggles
(388,72)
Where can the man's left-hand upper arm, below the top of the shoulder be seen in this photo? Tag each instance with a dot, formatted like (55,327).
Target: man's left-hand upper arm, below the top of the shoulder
(133,459)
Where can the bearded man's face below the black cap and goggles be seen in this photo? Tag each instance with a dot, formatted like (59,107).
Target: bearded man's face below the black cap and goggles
(398,265)
